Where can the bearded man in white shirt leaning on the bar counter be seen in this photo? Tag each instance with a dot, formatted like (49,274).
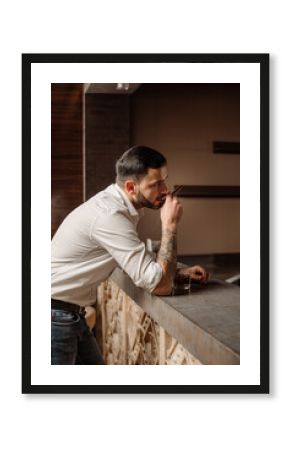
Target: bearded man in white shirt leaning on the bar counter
(100,235)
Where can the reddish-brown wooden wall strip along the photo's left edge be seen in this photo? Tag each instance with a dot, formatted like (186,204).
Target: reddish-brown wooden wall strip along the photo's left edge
(66,150)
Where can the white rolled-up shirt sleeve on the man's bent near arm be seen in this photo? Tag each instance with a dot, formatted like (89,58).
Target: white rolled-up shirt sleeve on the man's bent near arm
(118,236)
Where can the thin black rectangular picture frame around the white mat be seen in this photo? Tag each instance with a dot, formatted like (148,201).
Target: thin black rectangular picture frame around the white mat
(263,61)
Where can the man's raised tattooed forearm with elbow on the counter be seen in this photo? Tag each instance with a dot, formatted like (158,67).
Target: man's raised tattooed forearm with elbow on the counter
(166,257)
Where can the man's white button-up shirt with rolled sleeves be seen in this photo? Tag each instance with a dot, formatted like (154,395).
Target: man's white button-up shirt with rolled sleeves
(92,240)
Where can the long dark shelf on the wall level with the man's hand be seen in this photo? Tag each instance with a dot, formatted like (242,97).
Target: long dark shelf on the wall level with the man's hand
(209,191)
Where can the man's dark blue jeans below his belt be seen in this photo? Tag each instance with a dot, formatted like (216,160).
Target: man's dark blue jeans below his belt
(72,342)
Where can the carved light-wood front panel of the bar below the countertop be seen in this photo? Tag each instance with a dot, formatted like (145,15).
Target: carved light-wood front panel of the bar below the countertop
(127,335)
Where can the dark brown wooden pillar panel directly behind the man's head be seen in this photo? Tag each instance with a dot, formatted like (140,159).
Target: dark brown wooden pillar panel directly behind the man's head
(106,136)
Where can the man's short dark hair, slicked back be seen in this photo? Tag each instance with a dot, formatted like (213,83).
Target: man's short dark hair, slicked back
(136,161)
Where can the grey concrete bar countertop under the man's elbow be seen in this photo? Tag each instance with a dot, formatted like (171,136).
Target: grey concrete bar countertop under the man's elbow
(206,321)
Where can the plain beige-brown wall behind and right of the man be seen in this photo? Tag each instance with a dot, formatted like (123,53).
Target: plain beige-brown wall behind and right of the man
(182,121)
